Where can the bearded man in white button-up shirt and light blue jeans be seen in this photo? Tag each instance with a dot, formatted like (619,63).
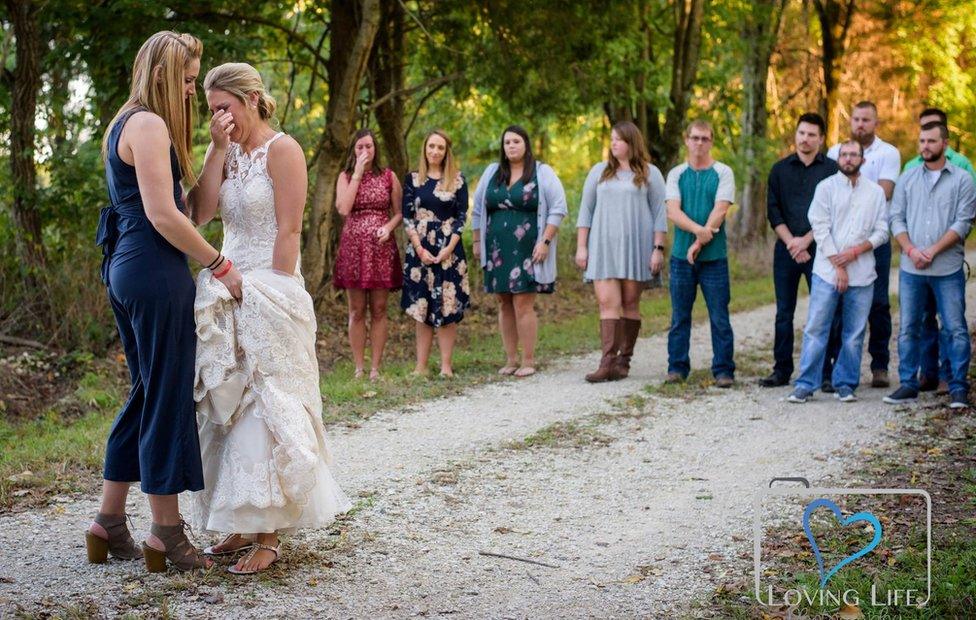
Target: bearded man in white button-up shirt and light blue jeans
(849,220)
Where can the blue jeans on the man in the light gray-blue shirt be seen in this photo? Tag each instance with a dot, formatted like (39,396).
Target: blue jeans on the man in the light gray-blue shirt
(950,303)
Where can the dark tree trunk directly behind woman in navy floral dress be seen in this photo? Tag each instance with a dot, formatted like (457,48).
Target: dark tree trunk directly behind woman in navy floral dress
(387,71)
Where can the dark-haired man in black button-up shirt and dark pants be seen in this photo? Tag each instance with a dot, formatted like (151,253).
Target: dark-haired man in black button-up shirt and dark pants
(792,182)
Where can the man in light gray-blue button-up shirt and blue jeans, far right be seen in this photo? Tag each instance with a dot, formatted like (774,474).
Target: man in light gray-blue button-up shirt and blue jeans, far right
(931,213)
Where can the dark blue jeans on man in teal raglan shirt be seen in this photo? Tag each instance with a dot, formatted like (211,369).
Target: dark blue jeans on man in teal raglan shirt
(713,277)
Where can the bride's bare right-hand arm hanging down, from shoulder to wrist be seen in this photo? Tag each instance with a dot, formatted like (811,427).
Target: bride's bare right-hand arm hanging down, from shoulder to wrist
(286,166)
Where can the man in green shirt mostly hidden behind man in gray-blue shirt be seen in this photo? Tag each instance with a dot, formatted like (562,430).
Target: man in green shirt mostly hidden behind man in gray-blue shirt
(933,370)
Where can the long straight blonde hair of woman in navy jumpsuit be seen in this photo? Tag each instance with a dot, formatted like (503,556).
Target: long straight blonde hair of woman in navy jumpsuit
(157,86)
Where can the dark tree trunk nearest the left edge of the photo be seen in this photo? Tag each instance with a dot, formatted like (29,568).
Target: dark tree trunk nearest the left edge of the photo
(25,82)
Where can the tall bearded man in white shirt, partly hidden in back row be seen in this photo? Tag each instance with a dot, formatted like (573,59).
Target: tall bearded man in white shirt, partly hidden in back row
(882,164)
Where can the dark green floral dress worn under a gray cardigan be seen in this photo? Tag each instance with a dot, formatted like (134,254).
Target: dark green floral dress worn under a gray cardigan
(511,236)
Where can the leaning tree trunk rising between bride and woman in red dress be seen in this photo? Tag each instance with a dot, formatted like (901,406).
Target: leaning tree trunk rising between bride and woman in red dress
(354,25)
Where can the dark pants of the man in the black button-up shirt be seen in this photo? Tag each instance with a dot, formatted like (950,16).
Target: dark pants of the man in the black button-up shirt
(787,274)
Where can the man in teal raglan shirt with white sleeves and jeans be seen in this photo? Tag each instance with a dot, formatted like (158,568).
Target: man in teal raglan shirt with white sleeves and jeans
(699,193)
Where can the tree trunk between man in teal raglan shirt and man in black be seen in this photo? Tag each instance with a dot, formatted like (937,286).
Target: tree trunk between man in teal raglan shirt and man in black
(760,31)
